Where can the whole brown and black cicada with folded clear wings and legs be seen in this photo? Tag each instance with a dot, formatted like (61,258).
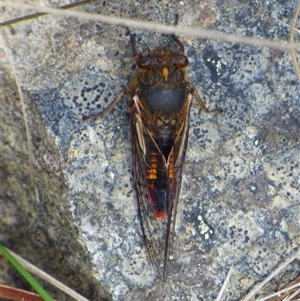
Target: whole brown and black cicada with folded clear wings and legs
(159,117)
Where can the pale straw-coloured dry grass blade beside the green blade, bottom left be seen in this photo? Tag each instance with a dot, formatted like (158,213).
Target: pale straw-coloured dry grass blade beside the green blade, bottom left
(36,271)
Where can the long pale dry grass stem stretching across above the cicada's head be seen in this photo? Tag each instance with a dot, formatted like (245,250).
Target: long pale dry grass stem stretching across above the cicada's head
(190,31)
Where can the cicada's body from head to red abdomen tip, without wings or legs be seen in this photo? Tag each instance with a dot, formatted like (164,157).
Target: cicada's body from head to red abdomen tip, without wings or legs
(162,89)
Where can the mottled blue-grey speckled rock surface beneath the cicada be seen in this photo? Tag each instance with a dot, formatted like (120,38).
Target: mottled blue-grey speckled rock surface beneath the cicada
(239,202)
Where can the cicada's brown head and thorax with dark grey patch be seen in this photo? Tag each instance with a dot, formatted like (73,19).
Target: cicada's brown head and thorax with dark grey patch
(161,82)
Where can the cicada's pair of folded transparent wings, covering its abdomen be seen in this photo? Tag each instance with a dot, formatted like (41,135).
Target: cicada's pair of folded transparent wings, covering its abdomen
(148,161)
